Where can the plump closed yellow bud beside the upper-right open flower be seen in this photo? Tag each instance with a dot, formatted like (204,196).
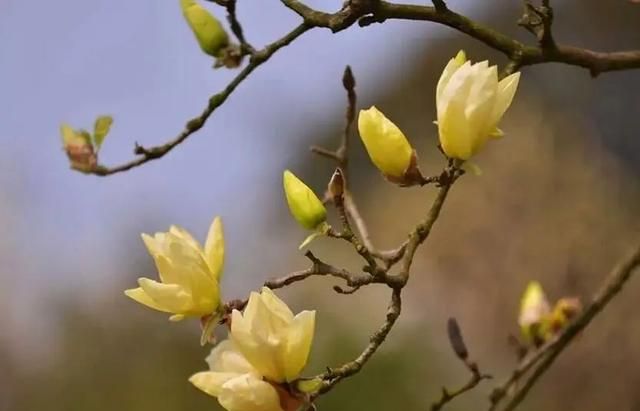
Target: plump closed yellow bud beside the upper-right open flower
(387,146)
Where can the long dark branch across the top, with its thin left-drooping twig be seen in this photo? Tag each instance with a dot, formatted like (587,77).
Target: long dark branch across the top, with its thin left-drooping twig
(367,12)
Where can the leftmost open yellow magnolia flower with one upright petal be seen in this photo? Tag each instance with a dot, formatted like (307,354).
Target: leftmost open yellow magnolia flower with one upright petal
(189,274)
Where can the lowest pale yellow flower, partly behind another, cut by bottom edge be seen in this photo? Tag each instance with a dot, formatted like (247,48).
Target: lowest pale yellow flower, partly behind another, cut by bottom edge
(237,385)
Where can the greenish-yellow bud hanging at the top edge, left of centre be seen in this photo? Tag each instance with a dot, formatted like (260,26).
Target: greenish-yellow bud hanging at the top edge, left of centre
(211,36)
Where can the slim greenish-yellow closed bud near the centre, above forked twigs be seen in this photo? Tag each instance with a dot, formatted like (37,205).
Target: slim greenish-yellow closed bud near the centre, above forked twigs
(304,205)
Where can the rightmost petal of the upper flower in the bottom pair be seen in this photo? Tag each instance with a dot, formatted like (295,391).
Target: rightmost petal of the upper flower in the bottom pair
(299,339)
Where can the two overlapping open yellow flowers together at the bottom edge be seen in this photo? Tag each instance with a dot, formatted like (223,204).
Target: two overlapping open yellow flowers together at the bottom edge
(267,346)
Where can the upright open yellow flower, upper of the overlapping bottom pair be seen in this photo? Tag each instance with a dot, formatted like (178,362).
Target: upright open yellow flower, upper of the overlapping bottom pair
(274,341)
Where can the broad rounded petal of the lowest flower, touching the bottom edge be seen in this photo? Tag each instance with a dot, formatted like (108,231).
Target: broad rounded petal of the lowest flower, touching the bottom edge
(249,393)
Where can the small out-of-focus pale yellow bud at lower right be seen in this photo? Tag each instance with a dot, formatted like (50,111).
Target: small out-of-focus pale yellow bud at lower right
(534,313)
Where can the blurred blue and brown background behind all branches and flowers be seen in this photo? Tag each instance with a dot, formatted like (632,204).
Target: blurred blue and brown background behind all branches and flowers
(558,201)
